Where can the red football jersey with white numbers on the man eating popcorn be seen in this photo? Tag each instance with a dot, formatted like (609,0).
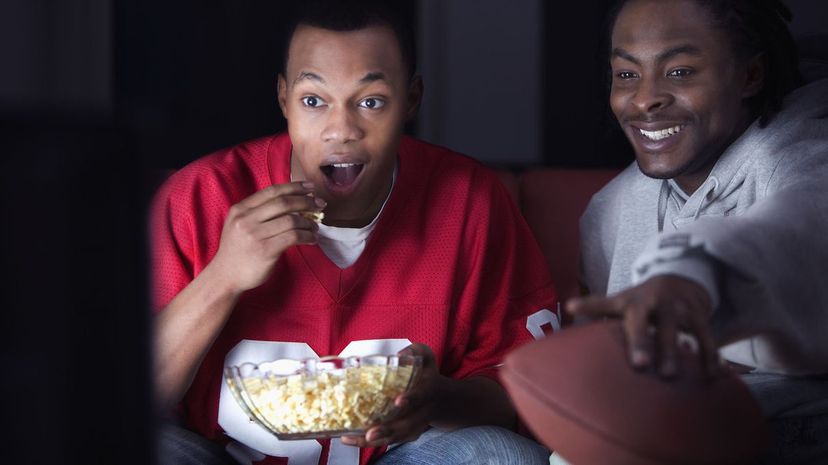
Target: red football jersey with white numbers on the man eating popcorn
(450,264)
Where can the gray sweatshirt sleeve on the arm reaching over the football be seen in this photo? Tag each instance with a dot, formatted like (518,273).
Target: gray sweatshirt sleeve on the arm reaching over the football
(767,268)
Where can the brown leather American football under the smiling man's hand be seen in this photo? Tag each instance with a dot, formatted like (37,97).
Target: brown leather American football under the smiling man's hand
(578,394)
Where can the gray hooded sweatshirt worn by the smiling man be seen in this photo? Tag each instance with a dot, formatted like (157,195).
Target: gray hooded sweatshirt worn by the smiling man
(754,234)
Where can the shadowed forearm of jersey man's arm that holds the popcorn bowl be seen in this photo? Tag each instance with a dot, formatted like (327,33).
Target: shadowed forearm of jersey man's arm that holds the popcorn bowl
(470,402)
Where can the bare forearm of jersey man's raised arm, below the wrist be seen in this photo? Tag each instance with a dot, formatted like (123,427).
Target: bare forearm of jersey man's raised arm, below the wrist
(186,329)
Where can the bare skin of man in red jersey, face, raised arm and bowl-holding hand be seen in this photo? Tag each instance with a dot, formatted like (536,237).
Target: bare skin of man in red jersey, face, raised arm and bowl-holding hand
(346,96)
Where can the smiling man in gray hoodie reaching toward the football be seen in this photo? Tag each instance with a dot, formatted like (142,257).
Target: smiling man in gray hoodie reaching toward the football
(720,228)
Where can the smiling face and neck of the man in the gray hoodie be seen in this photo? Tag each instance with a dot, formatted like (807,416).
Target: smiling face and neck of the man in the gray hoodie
(677,74)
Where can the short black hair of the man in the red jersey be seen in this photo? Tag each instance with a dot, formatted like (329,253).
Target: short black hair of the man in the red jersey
(353,15)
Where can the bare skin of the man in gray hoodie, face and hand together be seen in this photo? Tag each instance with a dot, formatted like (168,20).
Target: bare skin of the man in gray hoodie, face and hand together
(680,96)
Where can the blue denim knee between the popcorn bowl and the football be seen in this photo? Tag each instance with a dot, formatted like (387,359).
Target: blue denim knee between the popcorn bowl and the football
(479,445)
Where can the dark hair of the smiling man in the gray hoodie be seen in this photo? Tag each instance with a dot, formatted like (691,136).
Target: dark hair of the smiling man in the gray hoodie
(754,26)
